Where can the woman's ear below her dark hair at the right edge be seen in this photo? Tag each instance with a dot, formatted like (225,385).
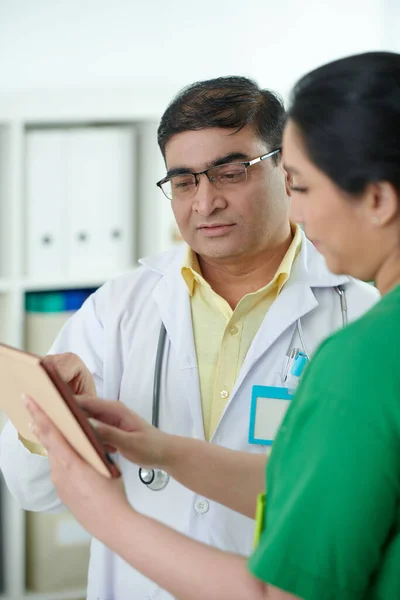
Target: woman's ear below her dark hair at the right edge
(383,203)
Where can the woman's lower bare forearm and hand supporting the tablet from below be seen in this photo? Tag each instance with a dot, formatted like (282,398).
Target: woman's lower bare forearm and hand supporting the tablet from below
(100,505)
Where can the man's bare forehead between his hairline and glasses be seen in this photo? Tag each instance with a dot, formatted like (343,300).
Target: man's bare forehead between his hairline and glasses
(196,149)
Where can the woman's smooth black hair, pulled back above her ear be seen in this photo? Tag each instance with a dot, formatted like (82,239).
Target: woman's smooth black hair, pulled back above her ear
(348,115)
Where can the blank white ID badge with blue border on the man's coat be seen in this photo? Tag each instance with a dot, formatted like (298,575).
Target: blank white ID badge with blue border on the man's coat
(268,409)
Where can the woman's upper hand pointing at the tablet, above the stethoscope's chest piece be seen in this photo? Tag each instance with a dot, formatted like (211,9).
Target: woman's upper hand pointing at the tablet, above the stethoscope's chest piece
(125,432)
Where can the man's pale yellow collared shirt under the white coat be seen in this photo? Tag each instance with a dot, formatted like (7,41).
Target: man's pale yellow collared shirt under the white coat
(223,336)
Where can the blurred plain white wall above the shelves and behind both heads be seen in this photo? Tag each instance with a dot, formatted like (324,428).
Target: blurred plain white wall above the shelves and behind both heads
(158,46)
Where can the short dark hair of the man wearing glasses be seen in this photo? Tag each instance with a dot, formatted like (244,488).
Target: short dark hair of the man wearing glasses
(228,102)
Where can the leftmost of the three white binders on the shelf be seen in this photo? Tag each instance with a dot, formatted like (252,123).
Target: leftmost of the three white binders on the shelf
(45,203)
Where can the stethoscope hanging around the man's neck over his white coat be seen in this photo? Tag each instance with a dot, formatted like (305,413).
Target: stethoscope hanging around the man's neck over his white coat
(157,479)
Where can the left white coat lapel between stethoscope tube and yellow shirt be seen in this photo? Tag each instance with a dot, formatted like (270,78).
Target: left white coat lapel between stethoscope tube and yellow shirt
(172,297)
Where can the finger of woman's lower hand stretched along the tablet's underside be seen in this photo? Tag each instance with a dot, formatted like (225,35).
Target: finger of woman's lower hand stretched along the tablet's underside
(50,437)
